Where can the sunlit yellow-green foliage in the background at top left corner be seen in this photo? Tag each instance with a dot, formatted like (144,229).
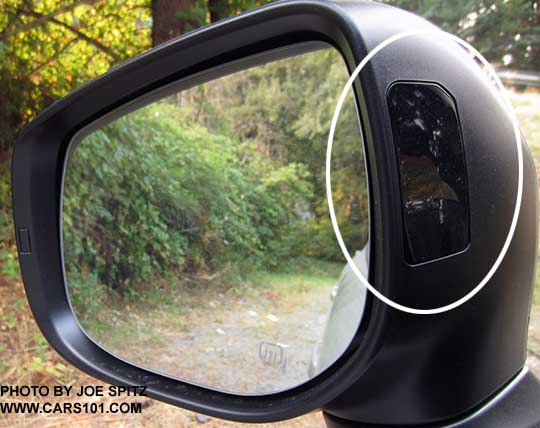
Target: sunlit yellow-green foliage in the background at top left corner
(50,47)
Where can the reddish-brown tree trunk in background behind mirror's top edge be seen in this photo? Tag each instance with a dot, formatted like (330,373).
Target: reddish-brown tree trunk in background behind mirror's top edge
(166,22)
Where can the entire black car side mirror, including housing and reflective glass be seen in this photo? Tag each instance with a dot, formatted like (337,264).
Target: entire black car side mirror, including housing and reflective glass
(173,231)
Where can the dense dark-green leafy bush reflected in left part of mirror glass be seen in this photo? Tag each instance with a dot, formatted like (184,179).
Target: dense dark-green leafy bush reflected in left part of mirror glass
(145,196)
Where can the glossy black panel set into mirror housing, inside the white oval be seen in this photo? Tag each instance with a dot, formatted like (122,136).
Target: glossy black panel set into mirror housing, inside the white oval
(432,170)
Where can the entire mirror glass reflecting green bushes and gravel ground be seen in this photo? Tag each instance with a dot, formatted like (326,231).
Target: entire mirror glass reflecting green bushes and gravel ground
(196,235)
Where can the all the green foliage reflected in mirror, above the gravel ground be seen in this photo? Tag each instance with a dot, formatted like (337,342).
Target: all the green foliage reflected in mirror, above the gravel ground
(147,196)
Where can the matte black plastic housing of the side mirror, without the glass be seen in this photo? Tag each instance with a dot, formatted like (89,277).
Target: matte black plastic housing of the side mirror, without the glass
(454,361)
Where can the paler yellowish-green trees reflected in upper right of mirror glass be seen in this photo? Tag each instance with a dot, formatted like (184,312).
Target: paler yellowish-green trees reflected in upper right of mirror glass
(286,107)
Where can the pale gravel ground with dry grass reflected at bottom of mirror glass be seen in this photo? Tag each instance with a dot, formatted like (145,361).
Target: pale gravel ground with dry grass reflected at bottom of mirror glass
(219,342)
